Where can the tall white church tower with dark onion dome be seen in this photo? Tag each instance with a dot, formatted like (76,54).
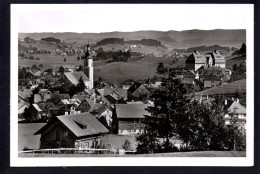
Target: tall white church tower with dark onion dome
(88,67)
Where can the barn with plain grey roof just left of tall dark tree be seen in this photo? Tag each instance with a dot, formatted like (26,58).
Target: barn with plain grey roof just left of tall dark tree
(131,117)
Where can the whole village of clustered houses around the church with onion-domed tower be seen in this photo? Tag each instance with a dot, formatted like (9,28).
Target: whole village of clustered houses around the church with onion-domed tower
(92,116)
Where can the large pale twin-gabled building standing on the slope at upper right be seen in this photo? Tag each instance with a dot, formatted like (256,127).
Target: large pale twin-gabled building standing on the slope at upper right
(212,59)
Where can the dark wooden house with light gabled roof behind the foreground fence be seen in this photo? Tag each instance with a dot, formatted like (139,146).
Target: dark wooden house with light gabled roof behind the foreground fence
(82,131)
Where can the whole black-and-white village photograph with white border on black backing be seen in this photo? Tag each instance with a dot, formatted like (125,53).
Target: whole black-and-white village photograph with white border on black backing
(132,84)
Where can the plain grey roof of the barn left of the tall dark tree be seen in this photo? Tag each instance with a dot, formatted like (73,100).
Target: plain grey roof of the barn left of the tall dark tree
(132,110)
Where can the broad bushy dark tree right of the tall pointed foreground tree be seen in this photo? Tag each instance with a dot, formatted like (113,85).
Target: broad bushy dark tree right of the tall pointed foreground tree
(202,127)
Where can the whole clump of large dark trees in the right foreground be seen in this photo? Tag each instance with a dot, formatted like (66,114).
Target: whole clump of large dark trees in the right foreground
(200,126)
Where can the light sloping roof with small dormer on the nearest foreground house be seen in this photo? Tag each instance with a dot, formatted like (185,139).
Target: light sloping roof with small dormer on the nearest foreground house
(75,122)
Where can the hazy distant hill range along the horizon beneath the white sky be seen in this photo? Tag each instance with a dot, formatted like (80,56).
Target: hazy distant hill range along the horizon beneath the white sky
(177,39)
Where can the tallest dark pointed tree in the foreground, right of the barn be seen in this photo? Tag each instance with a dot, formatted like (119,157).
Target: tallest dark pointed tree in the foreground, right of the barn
(169,103)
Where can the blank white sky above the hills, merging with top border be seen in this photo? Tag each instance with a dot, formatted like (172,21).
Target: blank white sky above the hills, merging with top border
(97,18)
